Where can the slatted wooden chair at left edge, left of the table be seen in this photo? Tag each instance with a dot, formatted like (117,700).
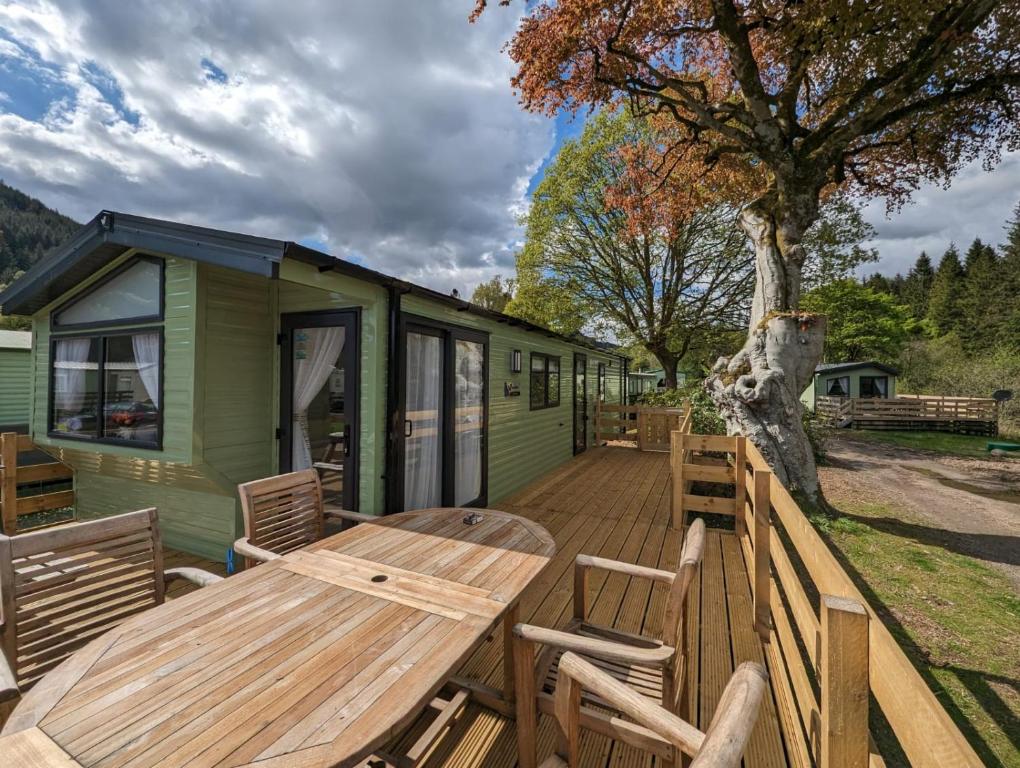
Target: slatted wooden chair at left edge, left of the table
(63,587)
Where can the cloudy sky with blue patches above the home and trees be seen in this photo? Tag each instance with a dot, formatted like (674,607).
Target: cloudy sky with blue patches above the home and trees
(382,131)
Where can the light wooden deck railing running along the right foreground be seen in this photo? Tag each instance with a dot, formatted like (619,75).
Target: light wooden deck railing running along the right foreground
(827,648)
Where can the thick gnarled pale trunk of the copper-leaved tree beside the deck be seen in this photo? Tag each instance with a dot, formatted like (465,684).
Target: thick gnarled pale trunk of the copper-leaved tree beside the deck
(758,390)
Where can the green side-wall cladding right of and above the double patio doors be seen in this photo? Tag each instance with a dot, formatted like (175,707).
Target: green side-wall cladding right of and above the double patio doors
(524,444)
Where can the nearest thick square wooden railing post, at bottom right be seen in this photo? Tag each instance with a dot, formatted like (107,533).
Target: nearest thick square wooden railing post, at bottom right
(844,668)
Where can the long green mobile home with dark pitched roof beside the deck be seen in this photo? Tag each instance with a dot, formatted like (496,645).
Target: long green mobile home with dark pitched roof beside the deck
(171,364)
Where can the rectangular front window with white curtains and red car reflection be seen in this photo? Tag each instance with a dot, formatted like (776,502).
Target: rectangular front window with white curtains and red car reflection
(109,388)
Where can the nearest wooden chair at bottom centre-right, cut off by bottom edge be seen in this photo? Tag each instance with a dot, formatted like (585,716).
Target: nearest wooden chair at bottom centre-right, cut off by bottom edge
(669,736)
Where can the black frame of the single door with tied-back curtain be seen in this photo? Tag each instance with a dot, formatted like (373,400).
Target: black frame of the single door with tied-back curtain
(351,320)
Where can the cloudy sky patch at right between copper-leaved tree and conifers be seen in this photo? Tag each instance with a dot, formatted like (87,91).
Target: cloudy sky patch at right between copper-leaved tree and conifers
(977,206)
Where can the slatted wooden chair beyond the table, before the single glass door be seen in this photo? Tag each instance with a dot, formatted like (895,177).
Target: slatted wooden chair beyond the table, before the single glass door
(285,514)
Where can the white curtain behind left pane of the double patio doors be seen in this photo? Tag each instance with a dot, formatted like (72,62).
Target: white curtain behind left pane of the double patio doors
(423,478)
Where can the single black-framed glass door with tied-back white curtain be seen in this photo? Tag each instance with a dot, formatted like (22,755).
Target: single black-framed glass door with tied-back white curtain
(319,395)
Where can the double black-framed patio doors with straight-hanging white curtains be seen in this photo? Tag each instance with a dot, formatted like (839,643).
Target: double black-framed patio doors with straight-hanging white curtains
(444,409)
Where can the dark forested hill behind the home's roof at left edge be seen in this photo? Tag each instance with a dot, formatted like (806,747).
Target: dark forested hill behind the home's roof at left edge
(28,230)
